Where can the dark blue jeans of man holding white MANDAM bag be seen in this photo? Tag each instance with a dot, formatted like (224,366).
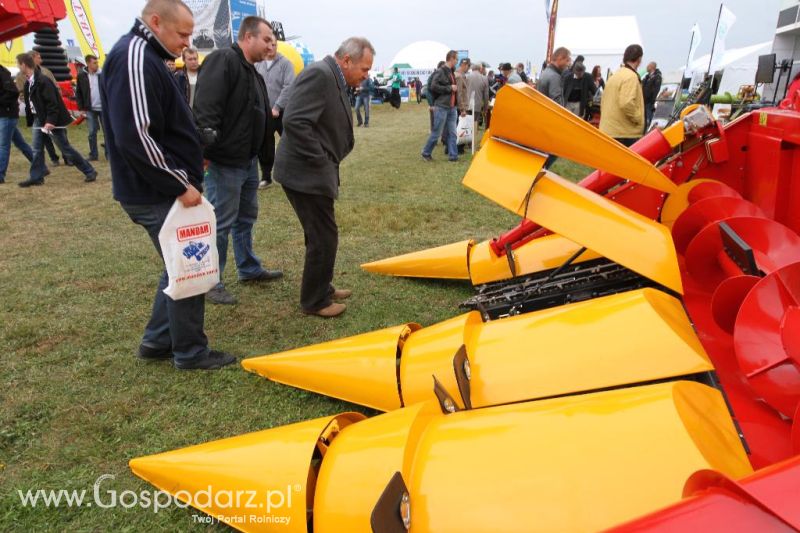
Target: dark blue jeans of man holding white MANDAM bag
(175,323)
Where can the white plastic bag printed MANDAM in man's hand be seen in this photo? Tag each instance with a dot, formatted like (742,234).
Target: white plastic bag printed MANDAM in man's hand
(188,241)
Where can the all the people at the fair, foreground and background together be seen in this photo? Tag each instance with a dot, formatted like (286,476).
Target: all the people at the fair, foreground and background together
(176,133)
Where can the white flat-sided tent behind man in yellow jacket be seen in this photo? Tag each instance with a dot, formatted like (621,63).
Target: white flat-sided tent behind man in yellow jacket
(601,40)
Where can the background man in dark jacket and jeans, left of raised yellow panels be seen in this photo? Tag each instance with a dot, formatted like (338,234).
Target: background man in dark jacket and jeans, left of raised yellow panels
(444,90)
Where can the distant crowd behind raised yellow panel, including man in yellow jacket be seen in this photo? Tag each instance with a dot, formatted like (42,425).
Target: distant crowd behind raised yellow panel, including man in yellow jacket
(625,103)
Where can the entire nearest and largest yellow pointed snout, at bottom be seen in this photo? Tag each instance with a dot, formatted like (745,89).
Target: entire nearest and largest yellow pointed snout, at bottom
(577,463)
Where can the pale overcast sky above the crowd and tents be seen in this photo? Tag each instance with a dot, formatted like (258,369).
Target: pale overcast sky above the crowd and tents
(492,30)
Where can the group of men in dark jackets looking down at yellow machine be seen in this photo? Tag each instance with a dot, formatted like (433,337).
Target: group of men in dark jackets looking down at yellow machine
(210,130)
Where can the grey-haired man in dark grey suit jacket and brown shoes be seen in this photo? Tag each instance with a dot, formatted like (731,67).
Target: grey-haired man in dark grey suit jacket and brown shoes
(318,135)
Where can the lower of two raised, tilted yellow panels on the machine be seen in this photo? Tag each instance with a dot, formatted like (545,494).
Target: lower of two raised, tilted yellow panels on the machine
(574,212)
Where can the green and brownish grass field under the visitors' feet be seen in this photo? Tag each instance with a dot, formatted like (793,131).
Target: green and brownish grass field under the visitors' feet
(77,280)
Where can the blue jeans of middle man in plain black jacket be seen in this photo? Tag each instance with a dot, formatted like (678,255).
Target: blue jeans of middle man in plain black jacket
(234,194)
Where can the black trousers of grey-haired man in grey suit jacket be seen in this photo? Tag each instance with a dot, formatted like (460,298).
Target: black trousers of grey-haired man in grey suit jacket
(317,217)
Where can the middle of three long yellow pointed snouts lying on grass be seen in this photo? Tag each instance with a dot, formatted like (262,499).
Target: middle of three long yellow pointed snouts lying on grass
(621,339)
